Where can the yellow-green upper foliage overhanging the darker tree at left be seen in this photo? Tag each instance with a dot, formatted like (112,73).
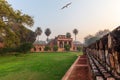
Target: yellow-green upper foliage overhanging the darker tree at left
(7,13)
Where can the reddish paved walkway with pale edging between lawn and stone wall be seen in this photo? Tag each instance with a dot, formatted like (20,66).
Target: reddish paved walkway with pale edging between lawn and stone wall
(79,70)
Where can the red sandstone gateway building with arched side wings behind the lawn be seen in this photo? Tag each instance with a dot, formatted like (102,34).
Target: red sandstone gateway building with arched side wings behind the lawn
(59,41)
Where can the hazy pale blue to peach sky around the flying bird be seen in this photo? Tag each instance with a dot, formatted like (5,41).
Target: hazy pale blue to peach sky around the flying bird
(88,16)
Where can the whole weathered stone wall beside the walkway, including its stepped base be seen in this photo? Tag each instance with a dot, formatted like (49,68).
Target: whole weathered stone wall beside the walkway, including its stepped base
(104,56)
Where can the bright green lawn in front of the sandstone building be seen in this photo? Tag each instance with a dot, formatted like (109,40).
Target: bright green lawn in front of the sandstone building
(36,66)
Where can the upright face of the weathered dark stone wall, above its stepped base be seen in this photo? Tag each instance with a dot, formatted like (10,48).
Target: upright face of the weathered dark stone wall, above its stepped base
(107,52)
